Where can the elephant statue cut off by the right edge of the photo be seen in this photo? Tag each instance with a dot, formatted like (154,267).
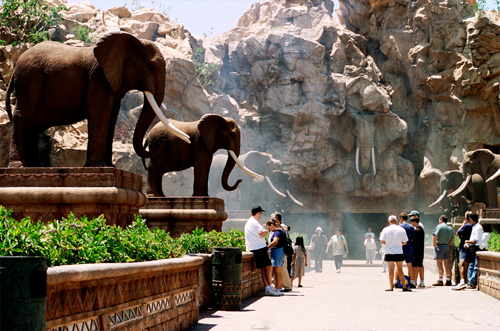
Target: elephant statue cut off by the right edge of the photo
(487,165)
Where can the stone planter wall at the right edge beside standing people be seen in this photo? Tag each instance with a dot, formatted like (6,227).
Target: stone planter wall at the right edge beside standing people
(489,273)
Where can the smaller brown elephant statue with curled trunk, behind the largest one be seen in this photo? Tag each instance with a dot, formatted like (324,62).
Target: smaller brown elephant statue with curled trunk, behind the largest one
(169,153)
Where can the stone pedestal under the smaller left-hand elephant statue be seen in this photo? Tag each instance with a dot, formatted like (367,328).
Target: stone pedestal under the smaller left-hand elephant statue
(179,215)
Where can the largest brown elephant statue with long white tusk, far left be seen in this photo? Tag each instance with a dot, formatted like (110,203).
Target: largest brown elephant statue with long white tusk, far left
(57,84)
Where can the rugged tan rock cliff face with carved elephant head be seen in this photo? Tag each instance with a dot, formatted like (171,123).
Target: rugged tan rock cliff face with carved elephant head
(364,112)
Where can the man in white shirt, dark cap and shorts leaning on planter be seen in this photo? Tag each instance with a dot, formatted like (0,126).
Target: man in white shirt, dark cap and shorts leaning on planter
(255,242)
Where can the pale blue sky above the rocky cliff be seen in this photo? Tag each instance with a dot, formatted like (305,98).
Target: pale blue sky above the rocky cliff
(199,16)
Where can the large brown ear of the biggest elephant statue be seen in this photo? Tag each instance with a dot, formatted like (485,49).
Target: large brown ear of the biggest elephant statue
(112,51)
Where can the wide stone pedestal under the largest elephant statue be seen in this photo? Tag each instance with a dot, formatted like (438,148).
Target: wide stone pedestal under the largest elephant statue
(52,193)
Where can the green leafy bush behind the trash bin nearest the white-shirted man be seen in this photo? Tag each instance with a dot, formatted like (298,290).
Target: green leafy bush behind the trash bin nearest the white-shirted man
(203,242)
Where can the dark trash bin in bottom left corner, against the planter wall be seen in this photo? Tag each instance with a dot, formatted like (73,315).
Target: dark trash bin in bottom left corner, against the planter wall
(23,293)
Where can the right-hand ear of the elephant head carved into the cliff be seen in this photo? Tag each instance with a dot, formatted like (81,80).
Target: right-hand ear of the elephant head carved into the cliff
(391,129)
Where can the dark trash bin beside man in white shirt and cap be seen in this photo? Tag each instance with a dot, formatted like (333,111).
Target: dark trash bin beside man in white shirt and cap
(226,278)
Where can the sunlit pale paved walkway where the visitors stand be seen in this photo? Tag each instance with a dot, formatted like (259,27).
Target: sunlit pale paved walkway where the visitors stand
(355,300)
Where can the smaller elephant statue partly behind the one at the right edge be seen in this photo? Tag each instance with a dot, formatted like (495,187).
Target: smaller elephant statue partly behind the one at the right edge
(475,191)
